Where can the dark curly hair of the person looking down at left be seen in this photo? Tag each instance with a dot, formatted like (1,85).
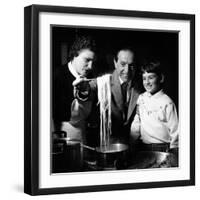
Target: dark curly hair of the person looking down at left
(82,42)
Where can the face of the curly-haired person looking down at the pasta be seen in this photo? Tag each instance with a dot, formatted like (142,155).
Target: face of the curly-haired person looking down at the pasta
(83,63)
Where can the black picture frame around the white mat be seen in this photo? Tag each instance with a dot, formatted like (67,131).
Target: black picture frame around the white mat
(31,98)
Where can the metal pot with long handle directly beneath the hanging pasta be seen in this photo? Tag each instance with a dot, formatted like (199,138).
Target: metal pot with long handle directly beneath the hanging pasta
(111,156)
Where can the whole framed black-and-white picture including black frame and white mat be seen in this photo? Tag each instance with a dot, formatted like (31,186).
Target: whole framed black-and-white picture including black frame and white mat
(109,100)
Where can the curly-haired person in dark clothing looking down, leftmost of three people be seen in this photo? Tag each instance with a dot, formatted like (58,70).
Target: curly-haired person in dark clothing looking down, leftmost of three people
(81,58)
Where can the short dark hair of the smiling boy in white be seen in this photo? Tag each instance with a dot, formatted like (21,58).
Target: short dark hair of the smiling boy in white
(152,67)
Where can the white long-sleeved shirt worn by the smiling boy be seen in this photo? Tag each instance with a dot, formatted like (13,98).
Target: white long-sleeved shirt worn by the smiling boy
(156,120)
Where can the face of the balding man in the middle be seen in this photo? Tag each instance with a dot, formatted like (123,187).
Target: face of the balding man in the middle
(125,65)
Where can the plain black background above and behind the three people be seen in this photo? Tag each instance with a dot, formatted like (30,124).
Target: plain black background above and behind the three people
(147,44)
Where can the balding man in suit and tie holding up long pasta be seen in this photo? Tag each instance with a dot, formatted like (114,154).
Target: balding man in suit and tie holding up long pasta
(124,94)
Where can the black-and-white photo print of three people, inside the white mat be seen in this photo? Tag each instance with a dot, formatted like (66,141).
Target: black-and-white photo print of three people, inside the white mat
(114,99)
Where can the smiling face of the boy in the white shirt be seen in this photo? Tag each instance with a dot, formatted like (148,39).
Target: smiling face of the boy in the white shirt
(151,82)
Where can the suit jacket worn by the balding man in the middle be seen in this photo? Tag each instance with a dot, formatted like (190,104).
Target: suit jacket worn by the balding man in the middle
(120,122)
